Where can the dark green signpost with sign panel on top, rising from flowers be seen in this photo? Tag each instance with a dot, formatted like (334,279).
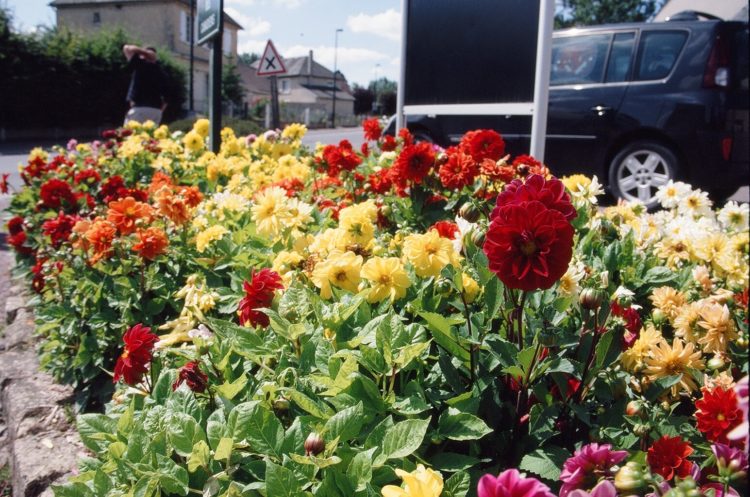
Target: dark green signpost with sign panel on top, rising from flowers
(211,28)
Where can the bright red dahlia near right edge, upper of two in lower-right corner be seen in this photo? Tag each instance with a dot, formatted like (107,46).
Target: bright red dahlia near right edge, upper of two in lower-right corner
(717,413)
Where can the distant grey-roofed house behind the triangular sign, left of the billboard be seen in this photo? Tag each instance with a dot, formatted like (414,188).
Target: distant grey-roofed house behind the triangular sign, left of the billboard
(305,92)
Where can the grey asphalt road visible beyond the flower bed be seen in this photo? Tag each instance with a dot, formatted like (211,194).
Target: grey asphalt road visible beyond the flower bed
(13,154)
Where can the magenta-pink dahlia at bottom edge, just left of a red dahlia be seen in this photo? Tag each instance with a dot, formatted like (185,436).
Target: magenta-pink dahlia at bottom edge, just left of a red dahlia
(588,465)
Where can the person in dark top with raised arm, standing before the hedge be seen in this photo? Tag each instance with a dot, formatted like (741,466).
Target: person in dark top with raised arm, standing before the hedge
(147,90)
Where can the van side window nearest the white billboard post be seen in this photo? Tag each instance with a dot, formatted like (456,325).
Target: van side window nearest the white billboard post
(579,59)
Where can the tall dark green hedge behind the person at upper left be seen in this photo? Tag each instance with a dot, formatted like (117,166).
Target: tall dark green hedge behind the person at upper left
(57,78)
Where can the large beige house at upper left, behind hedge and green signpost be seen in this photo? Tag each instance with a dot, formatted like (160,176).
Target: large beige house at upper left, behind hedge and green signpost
(164,24)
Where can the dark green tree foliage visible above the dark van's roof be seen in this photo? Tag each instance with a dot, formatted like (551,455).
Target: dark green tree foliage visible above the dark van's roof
(589,12)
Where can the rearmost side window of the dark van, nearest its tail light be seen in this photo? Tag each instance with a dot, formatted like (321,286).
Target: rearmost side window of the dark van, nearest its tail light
(657,53)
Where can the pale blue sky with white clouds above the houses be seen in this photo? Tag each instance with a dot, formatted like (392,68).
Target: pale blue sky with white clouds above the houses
(368,47)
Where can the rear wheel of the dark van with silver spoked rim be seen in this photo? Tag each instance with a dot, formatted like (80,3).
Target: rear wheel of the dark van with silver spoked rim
(639,169)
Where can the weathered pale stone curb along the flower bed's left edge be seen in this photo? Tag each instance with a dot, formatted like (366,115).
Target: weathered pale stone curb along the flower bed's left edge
(40,438)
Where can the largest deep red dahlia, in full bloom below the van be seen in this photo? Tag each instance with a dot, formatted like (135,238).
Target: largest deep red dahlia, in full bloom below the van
(529,246)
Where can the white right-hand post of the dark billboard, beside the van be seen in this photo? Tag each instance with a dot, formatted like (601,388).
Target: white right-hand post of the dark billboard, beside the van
(541,79)
